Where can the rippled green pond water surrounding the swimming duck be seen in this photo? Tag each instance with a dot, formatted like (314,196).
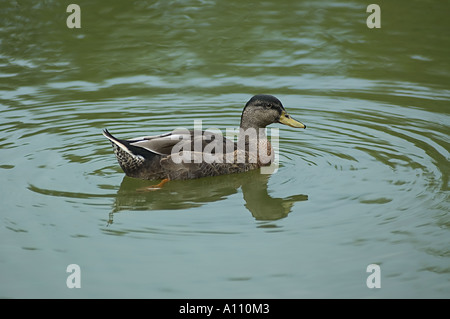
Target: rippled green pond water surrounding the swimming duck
(366,183)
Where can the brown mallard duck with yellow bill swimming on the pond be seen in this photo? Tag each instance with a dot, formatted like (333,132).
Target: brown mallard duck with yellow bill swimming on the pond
(189,154)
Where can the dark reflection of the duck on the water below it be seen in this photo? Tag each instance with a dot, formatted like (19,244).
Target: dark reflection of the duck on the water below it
(194,193)
